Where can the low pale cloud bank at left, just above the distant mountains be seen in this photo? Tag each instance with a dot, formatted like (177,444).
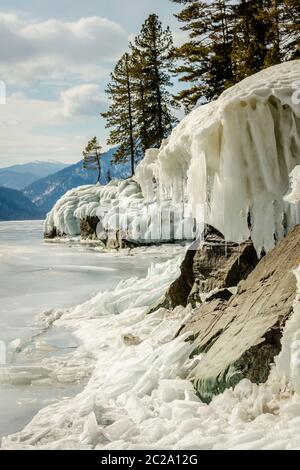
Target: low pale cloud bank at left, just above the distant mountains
(26,132)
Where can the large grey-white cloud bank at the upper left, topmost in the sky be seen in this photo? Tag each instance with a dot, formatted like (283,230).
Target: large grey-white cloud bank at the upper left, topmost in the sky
(38,50)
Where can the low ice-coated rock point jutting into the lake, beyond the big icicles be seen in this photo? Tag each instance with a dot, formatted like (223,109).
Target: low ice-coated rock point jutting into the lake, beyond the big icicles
(118,215)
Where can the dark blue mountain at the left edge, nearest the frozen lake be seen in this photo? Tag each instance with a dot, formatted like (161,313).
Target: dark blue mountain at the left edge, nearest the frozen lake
(15,206)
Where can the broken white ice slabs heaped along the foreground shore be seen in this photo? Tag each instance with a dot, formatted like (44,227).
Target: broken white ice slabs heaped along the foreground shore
(139,397)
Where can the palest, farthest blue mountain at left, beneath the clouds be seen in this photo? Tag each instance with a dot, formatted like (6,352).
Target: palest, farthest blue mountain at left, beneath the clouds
(20,176)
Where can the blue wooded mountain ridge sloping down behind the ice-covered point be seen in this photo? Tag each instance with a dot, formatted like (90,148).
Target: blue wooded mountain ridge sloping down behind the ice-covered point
(45,192)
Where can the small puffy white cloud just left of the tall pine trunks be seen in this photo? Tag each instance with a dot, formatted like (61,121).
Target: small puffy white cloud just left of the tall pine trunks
(82,101)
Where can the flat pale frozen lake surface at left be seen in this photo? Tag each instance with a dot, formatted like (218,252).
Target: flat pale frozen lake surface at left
(37,276)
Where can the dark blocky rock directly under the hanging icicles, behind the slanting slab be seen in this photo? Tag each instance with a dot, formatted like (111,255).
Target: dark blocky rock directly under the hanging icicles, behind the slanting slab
(215,264)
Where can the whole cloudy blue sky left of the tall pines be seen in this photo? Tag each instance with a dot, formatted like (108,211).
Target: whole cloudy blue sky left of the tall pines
(55,60)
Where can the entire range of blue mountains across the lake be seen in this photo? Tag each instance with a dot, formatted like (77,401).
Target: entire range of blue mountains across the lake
(39,196)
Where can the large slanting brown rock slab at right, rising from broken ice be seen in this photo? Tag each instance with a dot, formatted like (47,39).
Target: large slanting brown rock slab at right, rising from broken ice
(241,336)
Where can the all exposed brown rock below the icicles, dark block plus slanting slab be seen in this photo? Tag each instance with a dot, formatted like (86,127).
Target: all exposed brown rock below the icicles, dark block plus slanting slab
(239,333)
